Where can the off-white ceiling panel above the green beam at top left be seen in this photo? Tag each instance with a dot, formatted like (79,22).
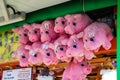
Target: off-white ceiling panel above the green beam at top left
(32,5)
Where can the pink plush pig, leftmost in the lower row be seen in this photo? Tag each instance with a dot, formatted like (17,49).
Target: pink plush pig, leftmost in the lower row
(22,54)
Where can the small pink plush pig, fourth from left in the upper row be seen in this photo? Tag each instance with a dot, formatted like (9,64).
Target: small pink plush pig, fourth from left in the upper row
(60,24)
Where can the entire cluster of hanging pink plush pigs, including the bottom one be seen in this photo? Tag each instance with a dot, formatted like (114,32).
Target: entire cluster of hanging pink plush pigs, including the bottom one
(71,39)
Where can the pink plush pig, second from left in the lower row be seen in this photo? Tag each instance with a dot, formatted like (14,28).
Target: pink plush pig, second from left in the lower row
(35,56)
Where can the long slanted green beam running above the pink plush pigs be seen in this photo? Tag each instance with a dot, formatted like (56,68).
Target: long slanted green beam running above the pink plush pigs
(70,7)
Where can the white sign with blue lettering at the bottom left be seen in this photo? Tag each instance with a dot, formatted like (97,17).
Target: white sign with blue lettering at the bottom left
(17,74)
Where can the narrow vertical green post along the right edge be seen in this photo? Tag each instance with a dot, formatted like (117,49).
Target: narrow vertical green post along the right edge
(118,41)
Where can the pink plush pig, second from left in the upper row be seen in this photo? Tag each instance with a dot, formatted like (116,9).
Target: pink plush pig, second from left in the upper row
(34,31)
